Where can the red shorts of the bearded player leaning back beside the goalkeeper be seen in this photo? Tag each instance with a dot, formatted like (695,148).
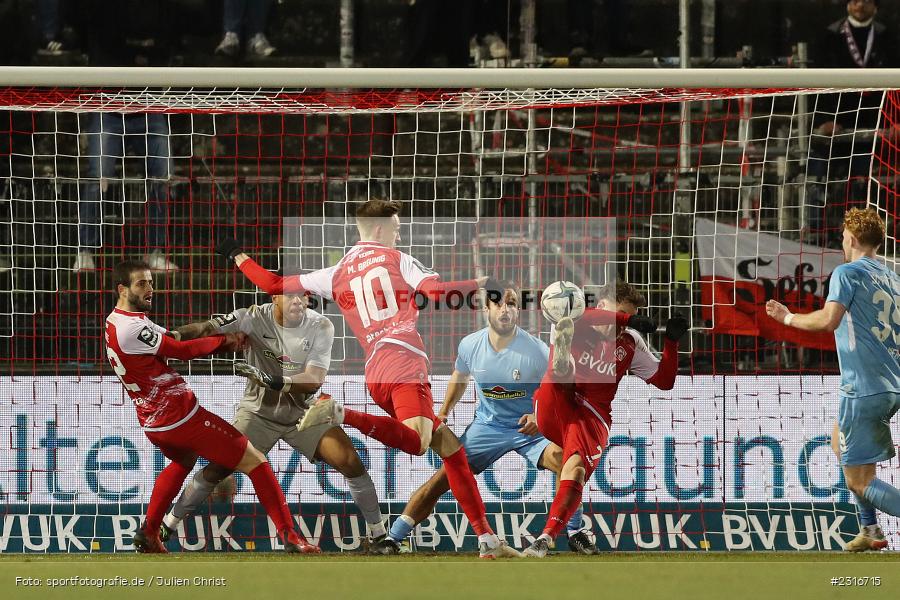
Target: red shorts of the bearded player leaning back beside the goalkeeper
(204,434)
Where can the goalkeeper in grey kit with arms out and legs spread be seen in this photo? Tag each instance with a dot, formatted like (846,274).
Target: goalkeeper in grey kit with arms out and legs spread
(284,337)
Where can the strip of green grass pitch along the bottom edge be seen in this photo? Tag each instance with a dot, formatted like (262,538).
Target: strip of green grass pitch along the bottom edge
(258,576)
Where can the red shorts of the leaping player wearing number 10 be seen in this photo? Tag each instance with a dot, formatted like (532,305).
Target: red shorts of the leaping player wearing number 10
(398,382)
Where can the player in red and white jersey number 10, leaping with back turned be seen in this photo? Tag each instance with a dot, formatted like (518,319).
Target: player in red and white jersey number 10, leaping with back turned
(379,290)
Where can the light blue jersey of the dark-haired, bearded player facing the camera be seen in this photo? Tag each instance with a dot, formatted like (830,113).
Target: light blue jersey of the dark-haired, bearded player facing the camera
(505,380)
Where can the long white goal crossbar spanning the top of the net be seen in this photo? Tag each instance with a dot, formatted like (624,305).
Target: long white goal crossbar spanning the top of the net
(447,78)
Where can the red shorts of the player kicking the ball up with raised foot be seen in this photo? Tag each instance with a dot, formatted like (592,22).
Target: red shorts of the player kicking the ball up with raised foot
(568,421)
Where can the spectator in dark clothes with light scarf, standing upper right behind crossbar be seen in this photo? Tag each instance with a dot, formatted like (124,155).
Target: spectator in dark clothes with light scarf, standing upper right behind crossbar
(844,124)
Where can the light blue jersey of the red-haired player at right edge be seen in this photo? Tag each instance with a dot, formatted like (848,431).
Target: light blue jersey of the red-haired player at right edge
(868,338)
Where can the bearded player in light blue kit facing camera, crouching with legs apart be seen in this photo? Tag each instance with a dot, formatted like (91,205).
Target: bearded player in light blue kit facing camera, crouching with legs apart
(507,364)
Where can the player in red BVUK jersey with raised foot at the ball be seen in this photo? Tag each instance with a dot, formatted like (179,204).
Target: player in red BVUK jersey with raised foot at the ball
(573,405)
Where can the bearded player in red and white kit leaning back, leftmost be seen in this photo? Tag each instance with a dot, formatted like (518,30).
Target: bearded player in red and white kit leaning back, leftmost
(171,416)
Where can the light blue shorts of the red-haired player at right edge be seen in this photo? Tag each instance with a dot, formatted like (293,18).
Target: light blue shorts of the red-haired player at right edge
(865,430)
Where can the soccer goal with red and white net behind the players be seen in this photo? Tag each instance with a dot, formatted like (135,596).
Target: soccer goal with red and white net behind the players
(708,191)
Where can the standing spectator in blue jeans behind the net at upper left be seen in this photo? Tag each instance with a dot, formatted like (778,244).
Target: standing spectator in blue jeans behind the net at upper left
(126,33)
